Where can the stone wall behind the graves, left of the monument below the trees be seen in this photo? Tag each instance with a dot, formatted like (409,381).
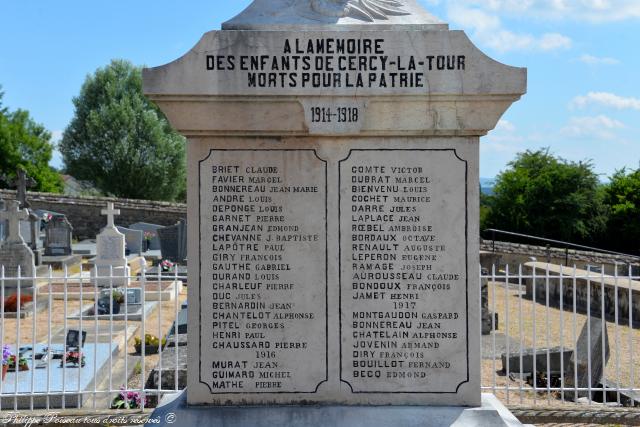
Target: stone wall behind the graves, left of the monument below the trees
(84,212)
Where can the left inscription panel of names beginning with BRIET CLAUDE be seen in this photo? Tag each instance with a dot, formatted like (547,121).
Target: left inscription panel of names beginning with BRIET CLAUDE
(263,275)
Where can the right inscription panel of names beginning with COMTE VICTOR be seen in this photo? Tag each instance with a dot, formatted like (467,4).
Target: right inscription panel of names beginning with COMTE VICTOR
(403,271)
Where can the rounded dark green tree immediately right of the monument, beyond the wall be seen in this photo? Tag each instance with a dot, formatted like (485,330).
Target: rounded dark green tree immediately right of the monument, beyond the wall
(546,196)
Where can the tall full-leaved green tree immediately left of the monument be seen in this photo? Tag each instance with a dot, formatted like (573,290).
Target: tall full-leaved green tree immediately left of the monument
(120,141)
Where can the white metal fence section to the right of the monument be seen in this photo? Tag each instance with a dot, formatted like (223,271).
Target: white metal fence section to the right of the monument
(535,354)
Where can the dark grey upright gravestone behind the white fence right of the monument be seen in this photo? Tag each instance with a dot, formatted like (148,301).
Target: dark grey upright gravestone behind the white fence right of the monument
(587,364)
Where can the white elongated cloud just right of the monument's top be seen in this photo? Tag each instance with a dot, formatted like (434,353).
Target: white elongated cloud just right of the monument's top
(488,29)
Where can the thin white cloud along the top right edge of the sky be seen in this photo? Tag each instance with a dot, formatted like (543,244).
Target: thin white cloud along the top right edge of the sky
(577,10)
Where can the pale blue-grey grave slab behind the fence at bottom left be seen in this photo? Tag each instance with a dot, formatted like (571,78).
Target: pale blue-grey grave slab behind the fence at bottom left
(75,379)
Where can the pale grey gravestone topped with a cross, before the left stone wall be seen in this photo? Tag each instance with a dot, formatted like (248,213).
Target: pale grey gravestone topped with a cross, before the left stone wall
(111,268)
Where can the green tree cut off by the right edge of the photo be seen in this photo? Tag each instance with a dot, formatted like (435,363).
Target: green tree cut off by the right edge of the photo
(622,196)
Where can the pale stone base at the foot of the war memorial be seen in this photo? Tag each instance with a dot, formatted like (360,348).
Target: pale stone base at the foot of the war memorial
(173,408)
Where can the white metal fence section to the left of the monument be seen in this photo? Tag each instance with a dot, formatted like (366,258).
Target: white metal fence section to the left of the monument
(63,302)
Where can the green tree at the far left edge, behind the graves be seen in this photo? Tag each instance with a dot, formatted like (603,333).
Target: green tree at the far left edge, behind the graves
(26,144)
